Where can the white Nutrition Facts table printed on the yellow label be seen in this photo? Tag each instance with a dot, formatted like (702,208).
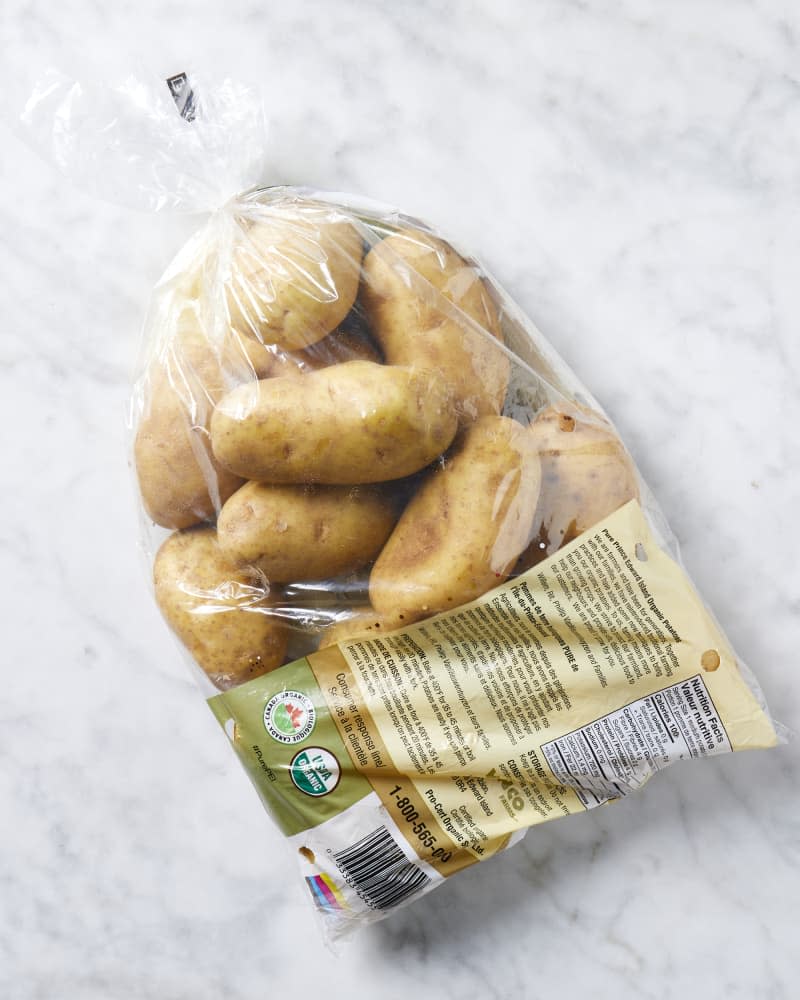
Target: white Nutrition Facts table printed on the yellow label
(618,752)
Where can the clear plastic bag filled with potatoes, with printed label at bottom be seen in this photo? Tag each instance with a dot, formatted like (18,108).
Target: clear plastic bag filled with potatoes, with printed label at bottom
(408,558)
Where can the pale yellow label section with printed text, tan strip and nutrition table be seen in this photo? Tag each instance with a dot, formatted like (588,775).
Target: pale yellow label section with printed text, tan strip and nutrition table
(565,688)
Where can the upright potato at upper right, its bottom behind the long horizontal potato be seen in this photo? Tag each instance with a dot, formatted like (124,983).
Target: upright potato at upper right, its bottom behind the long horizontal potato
(406,277)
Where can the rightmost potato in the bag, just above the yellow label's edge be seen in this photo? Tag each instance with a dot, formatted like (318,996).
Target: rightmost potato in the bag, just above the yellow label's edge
(586,475)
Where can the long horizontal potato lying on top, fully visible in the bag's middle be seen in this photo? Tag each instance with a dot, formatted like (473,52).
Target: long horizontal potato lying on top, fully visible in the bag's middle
(353,423)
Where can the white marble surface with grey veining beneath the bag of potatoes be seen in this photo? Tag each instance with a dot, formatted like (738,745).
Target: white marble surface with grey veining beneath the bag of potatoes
(630,171)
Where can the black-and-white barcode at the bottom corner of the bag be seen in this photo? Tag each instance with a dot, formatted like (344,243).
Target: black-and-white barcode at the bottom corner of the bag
(379,871)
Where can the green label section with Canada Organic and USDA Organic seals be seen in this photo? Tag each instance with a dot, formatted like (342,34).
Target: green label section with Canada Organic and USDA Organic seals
(281,729)
